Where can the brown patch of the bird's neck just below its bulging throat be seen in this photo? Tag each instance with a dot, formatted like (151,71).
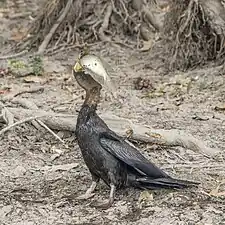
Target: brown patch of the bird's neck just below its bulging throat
(92,97)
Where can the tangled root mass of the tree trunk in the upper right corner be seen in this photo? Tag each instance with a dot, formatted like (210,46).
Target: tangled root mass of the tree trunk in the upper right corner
(196,30)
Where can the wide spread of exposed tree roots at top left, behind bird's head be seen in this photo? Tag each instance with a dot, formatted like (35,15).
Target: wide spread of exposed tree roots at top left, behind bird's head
(66,23)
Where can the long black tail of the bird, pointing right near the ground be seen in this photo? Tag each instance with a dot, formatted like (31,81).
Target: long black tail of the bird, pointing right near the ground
(165,182)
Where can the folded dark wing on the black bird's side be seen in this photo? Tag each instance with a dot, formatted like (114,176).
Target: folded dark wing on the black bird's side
(129,155)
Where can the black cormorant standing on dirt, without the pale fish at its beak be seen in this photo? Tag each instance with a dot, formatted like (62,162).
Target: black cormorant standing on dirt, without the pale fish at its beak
(108,156)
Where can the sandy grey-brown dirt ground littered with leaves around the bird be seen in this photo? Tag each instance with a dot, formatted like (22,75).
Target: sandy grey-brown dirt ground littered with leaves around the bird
(41,178)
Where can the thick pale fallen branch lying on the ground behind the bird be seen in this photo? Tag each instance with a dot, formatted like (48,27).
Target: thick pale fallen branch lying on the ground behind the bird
(121,126)
